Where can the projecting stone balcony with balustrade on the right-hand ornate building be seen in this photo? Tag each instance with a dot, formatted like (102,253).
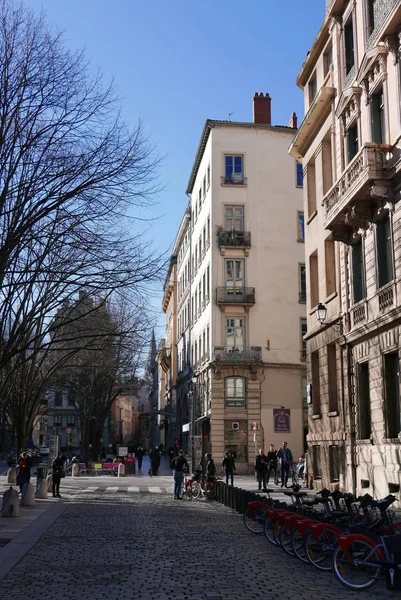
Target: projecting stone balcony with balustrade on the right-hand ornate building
(354,186)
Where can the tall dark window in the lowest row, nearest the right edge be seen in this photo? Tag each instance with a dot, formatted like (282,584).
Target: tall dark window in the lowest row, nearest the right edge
(392,394)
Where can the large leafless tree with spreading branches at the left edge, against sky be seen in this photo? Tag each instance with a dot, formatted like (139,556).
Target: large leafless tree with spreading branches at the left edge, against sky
(70,170)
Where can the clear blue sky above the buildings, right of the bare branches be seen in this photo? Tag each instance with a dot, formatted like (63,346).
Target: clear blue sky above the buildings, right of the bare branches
(176,64)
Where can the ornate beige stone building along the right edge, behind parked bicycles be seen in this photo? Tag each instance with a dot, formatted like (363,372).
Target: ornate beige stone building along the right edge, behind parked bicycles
(349,145)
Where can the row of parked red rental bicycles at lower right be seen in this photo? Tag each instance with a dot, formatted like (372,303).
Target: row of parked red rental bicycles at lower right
(358,539)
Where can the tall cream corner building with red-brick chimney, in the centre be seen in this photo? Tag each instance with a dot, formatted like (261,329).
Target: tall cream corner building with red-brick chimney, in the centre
(240,294)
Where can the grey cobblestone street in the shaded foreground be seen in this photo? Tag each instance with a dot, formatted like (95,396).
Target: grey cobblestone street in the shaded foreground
(148,546)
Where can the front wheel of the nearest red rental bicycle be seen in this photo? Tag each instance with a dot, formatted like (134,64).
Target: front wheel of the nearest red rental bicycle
(349,567)
